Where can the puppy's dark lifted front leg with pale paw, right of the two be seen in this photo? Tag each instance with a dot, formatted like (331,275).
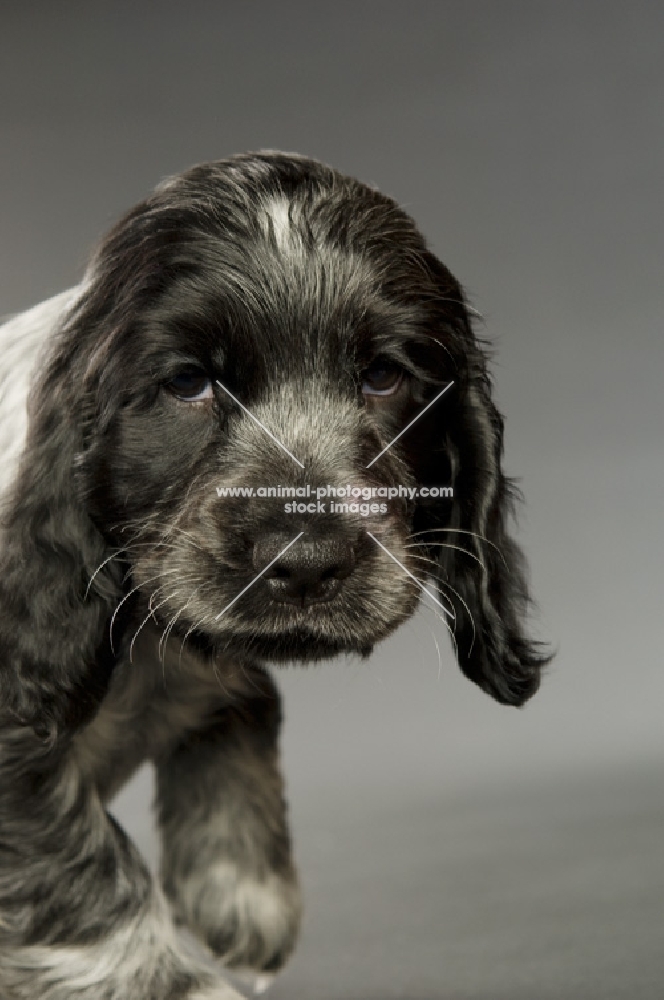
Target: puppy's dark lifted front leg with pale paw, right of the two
(226,860)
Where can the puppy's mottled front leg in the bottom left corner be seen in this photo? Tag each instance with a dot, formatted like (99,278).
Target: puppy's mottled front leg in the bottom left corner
(80,916)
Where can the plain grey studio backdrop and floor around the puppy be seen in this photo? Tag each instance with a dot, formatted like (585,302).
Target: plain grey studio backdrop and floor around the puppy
(450,848)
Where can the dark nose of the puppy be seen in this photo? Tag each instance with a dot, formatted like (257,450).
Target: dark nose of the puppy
(309,572)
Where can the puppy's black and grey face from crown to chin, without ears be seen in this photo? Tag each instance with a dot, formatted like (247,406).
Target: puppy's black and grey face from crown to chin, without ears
(308,307)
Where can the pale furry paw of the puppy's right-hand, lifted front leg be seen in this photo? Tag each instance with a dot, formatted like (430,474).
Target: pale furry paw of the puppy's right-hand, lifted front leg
(249,922)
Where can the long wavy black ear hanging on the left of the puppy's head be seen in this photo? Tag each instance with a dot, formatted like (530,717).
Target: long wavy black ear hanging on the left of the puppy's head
(56,656)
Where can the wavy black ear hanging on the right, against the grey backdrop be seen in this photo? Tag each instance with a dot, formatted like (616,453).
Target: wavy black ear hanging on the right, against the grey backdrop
(481,569)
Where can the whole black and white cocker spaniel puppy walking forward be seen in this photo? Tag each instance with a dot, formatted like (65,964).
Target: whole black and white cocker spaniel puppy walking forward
(253,433)
